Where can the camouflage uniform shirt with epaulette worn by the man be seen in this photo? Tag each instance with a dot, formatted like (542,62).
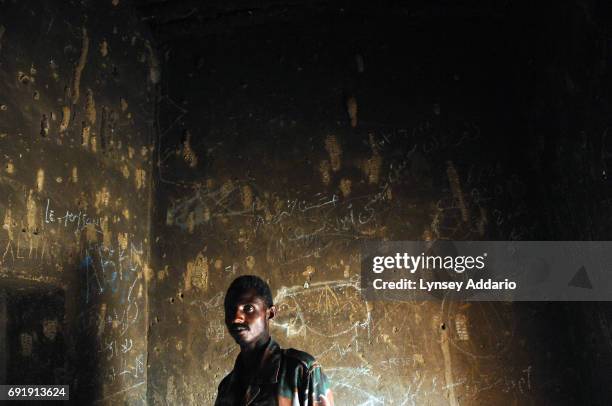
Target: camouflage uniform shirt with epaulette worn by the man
(286,377)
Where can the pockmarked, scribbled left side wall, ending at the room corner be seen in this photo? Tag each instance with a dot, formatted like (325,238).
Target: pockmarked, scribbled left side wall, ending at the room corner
(75,131)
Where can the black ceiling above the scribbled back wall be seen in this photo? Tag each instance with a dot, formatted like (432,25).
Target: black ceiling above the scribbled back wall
(181,19)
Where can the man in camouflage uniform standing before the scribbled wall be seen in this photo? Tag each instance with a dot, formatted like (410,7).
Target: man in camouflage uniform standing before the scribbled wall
(264,374)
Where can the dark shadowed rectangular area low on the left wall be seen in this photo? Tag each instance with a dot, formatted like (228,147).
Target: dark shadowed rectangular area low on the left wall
(37,343)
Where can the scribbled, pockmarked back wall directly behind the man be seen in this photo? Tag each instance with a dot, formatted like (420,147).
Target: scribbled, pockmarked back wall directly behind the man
(283,146)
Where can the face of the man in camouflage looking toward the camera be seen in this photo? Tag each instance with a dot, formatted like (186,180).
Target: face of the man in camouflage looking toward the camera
(247,317)
